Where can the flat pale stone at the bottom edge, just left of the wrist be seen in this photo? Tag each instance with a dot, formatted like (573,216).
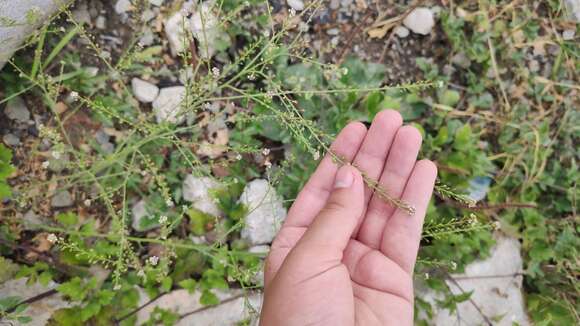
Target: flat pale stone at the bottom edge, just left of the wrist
(238,306)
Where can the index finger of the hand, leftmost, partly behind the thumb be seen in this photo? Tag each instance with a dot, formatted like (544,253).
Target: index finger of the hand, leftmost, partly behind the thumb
(317,190)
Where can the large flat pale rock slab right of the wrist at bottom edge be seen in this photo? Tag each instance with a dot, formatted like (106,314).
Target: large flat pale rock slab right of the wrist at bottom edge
(497,292)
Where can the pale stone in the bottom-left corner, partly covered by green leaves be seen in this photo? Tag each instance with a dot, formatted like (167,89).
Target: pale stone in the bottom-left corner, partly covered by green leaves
(40,311)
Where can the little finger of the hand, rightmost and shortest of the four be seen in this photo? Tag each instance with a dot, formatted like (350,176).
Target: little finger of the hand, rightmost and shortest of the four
(402,233)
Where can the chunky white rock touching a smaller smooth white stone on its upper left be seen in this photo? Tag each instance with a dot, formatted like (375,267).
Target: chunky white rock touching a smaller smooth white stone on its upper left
(167,105)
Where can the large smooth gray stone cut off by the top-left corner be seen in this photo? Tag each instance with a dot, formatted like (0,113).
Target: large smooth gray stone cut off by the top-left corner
(22,17)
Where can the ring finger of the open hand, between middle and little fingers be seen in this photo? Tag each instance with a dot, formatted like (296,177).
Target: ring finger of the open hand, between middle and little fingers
(400,162)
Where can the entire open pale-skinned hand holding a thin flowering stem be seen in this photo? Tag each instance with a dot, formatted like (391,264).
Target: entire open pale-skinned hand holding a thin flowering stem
(344,256)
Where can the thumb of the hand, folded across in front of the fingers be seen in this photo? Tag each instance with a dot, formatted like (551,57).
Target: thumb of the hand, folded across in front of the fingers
(334,225)
